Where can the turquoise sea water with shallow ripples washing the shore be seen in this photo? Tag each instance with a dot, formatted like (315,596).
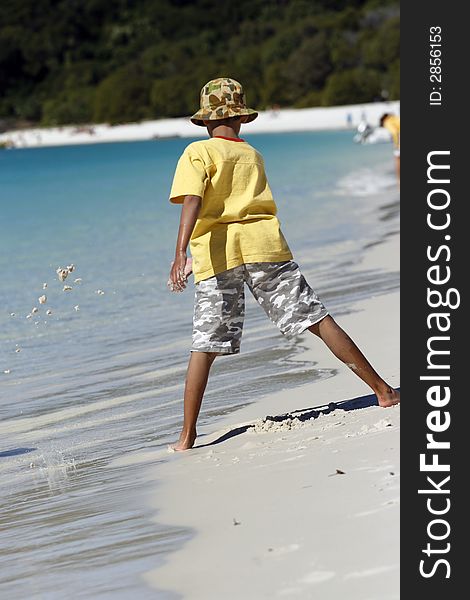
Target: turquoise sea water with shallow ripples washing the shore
(92,384)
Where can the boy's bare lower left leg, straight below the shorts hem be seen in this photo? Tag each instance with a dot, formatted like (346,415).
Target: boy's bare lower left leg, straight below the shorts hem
(196,381)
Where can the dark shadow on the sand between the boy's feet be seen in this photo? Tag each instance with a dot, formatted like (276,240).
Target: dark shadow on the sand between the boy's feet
(303,414)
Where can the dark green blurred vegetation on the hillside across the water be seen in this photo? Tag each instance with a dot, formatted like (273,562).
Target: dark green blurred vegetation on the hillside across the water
(82,61)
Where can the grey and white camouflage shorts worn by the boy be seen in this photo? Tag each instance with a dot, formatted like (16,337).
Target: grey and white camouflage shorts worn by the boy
(280,288)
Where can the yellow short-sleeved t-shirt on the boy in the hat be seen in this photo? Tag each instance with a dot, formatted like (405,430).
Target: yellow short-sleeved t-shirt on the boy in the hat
(237,222)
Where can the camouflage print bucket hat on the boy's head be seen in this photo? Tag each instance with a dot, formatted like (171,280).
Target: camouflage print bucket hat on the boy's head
(222,98)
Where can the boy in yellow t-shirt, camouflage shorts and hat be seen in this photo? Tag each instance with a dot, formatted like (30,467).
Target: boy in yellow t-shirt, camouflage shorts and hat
(229,216)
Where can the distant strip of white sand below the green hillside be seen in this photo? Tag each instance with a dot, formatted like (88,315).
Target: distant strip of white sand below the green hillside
(305,119)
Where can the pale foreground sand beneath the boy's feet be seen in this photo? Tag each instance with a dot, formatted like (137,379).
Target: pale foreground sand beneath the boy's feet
(272,518)
